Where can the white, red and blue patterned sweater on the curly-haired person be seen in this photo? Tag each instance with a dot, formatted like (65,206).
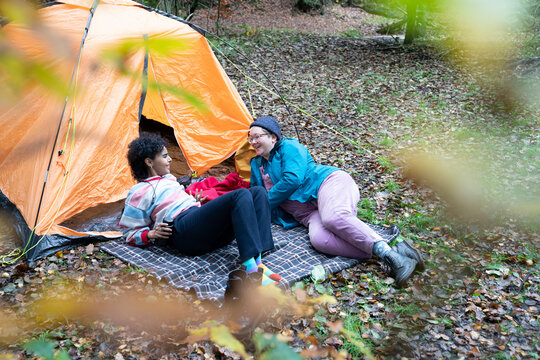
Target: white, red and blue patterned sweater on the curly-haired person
(153,201)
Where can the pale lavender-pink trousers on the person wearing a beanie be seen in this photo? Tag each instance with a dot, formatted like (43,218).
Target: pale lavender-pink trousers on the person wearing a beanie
(334,228)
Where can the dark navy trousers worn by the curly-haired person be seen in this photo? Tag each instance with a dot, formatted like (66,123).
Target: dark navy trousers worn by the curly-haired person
(242,213)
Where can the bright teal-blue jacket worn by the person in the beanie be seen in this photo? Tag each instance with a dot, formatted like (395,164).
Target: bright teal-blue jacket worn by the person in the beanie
(294,174)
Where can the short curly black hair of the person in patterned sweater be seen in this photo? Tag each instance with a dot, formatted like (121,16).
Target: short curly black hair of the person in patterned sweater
(147,145)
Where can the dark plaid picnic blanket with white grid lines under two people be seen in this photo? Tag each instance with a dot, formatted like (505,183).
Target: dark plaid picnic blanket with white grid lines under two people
(207,275)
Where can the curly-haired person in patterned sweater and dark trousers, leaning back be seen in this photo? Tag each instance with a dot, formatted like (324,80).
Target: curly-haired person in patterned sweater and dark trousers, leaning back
(159,210)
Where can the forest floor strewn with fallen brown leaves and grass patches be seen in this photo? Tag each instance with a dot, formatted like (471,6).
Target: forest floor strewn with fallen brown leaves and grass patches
(391,116)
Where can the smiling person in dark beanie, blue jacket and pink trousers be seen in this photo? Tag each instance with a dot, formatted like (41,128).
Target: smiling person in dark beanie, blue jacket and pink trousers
(322,198)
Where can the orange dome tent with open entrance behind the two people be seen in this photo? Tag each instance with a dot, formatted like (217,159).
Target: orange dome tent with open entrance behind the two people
(61,156)
